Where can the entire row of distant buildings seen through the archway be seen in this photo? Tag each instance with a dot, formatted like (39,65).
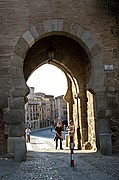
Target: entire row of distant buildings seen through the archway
(43,110)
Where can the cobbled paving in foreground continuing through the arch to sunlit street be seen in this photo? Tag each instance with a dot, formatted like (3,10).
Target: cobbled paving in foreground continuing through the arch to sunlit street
(46,163)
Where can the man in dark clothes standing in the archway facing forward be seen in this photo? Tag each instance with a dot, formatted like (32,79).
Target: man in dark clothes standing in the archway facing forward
(58,131)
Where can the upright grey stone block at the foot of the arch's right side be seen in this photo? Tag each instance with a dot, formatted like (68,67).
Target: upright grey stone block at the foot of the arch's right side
(106,144)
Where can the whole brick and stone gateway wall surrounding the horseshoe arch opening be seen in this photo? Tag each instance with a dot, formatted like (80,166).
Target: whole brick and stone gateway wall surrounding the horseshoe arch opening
(85,36)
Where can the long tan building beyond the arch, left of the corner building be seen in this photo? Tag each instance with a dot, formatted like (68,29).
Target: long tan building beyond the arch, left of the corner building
(39,110)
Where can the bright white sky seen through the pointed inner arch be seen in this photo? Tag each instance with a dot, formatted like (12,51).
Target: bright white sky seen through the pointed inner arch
(48,79)
